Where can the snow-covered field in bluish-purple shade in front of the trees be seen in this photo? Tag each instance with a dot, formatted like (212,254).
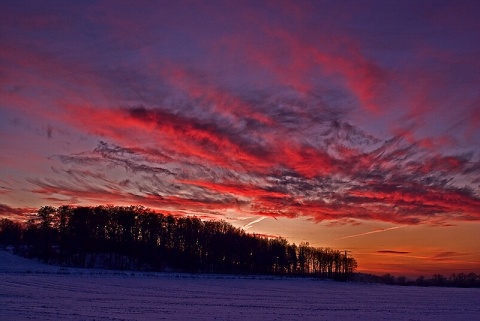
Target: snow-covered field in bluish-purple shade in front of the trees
(33,291)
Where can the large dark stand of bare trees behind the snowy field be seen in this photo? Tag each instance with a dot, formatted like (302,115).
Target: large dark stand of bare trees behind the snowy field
(135,237)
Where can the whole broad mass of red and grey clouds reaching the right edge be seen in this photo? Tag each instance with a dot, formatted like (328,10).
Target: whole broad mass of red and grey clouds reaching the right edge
(361,193)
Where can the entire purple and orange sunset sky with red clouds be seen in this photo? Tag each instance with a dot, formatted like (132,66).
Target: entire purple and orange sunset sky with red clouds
(353,125)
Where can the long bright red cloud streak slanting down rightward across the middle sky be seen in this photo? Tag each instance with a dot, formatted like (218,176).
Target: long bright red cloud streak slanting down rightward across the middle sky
(207,143)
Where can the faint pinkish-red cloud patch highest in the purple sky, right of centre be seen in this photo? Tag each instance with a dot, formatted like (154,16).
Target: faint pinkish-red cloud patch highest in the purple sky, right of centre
(294,62)
